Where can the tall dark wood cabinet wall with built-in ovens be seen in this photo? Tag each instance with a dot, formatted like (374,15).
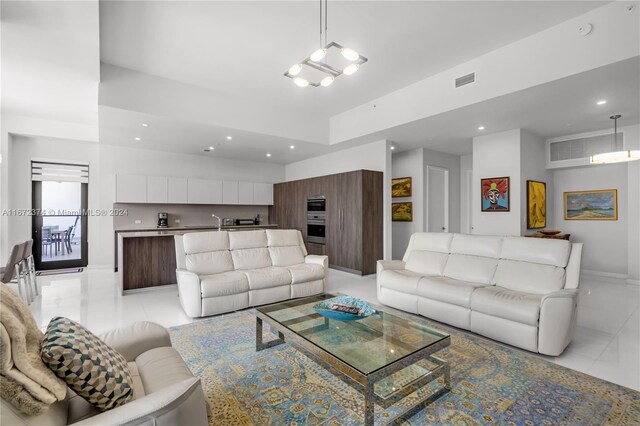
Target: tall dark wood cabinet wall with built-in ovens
(354,216)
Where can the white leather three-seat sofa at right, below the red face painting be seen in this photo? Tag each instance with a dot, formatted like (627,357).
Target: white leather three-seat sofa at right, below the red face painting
(521,291)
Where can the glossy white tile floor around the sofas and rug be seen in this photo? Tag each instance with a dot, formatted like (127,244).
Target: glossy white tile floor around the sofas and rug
(606,342)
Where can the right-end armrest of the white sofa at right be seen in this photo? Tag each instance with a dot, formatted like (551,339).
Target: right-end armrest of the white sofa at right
(558,312)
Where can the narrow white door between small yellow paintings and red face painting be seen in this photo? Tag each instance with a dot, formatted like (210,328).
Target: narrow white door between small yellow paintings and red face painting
(437,199)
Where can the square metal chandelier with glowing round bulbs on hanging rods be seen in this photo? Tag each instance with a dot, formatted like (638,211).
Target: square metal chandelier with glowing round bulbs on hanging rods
(318,60)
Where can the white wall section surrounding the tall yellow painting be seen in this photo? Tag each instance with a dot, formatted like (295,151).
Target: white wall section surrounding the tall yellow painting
(533,167)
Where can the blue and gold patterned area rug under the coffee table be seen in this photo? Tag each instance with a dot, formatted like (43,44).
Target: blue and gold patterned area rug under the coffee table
(491,384)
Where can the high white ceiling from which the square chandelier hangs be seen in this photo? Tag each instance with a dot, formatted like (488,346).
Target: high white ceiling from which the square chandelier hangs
(242,47)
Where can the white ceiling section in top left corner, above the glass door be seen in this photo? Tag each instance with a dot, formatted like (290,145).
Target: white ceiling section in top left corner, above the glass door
(50,60)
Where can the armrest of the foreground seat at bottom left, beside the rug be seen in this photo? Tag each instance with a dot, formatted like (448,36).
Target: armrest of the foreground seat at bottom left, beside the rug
(155,406)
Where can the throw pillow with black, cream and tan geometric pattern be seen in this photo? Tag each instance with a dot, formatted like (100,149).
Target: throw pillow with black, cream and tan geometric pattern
(95,371)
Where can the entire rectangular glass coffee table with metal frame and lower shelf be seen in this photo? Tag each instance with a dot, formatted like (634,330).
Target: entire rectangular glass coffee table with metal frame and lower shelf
(384,356)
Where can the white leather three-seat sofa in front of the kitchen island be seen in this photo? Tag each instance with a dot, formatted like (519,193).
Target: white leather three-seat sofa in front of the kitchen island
(222,271)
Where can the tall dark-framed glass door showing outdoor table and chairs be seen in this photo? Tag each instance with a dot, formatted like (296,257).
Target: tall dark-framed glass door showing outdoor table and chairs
(59,225)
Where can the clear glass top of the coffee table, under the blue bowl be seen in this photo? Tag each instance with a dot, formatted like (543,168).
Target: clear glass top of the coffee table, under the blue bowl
(367,344)
